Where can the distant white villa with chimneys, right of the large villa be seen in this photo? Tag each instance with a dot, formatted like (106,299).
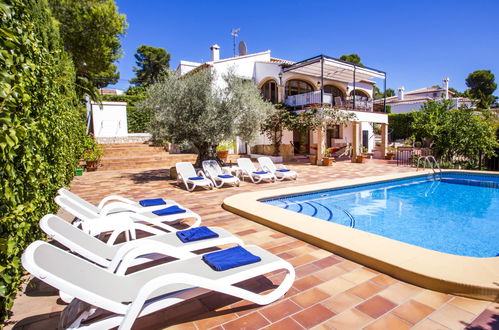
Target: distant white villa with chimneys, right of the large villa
(413,100)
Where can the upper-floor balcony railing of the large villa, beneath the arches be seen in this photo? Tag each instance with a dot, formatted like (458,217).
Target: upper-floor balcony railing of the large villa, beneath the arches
(361,103)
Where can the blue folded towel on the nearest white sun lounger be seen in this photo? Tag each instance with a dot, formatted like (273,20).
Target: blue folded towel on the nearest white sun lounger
(230,258)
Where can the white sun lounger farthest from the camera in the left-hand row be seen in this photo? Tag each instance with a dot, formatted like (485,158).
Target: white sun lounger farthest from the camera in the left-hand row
(113,203)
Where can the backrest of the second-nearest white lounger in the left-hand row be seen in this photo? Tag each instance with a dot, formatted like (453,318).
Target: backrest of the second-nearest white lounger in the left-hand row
(75,239)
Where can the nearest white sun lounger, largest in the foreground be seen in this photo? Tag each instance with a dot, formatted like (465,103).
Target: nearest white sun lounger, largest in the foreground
(143,292)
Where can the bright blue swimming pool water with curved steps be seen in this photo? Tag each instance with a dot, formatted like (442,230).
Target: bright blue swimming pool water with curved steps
(456,213)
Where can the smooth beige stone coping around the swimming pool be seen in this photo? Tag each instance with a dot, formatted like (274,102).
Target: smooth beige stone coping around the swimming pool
(464,276)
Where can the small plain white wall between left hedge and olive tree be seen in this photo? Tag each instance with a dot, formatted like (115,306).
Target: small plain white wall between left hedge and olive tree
(110,120)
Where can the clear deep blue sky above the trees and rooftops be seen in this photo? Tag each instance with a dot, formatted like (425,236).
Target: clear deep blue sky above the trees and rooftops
(416,42)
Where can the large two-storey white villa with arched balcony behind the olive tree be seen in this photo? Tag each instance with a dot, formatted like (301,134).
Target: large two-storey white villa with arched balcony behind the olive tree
(310,83)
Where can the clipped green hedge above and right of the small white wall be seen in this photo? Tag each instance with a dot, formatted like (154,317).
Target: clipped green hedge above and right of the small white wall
(138,120)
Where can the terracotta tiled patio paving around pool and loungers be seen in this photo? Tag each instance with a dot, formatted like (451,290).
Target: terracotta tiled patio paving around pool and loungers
(330,292)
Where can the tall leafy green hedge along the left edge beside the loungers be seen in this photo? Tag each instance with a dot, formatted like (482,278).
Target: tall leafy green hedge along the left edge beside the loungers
(41,126)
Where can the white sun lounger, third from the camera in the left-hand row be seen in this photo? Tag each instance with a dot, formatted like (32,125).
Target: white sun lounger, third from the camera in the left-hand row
(97,223)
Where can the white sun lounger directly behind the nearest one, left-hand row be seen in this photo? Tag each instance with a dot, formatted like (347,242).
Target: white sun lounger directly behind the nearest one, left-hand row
(146,249)
